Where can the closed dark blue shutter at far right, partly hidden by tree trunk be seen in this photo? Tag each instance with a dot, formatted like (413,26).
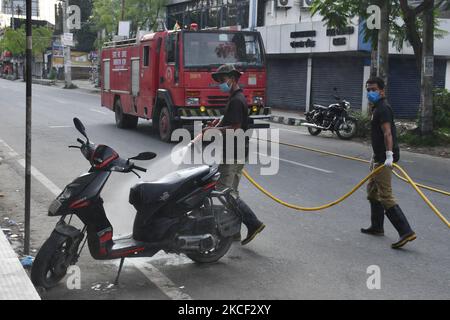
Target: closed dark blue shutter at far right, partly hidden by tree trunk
(404,85)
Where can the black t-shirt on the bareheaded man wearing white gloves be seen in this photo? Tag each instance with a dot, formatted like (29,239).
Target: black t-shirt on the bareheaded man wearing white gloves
(383,113)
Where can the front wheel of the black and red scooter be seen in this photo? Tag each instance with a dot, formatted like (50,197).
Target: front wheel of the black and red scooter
(51,263)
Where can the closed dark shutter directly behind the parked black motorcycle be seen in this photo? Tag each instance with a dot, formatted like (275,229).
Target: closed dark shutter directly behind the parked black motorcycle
(344,73)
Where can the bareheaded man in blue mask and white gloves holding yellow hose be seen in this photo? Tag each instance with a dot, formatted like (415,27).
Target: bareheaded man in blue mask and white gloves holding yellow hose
(385,152)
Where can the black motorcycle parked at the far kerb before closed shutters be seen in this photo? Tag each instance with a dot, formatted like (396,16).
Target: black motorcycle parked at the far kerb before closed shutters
(334,118)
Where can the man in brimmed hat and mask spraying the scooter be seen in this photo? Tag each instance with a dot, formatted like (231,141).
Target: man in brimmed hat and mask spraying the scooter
(235,118)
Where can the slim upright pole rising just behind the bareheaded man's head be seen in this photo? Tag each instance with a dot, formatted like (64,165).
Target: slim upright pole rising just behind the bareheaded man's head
(383,43)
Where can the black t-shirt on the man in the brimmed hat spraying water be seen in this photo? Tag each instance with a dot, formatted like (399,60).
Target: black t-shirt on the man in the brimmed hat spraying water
(236,112)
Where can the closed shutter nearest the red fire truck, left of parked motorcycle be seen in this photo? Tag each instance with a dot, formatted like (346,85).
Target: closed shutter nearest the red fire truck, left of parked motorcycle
(286,83)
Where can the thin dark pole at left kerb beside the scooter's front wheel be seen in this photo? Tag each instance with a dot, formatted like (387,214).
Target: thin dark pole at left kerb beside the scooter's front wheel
(29,47)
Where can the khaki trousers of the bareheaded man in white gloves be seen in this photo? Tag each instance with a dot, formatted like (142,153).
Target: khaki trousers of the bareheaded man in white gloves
(379,188)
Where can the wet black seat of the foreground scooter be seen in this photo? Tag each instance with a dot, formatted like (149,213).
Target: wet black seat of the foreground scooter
(145,193)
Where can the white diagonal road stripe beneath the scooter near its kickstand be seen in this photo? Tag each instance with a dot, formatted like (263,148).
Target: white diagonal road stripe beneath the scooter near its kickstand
(155,276)
